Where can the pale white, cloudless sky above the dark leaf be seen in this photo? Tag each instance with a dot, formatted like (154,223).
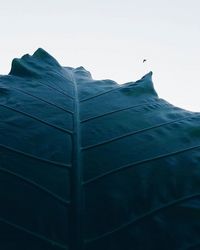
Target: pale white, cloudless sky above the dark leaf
(110,38)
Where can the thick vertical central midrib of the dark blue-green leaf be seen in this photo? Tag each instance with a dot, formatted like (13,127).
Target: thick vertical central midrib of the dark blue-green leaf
(76,237)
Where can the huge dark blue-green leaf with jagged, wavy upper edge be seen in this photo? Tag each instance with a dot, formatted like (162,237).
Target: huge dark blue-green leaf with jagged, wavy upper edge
(89,164)
